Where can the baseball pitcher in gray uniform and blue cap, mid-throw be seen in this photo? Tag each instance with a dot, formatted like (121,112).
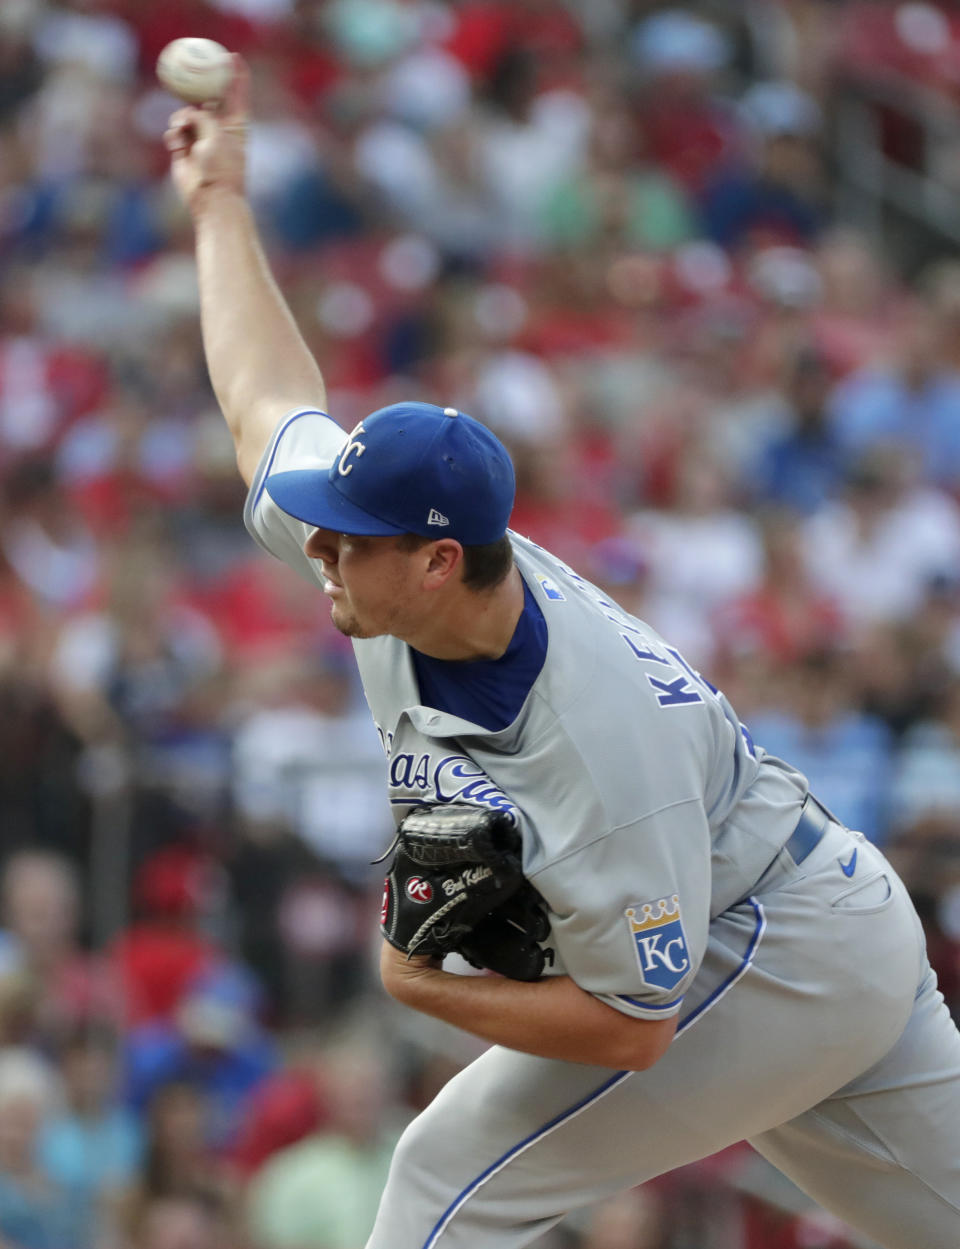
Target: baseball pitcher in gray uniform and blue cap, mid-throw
(691,950)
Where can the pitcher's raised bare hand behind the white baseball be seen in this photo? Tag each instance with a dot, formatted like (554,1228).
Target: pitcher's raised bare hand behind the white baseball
(208,146)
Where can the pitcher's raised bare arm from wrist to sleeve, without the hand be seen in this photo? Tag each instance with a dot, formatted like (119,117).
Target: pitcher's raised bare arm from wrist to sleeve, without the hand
(260,367)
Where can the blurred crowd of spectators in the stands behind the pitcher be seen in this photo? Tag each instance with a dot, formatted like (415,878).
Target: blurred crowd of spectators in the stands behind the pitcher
(606,228)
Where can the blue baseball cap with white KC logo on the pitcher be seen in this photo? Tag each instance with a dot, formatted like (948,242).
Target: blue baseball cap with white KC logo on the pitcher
(408,469)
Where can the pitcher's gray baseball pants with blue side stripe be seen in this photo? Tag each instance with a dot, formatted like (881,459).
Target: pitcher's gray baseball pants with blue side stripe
(815,1030)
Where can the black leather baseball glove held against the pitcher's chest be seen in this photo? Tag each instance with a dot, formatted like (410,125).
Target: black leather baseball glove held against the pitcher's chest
(456,885)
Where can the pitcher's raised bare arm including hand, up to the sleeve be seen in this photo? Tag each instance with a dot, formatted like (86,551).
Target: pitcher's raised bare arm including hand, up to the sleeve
(260,367)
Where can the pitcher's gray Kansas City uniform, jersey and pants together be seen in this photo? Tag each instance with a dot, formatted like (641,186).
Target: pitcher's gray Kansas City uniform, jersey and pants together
(656,830)
